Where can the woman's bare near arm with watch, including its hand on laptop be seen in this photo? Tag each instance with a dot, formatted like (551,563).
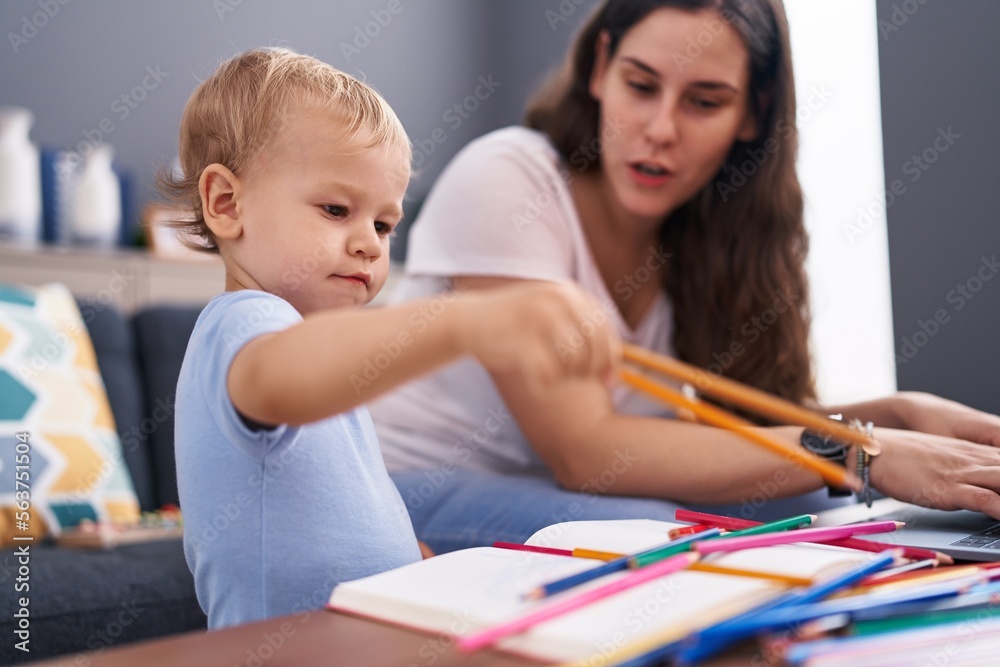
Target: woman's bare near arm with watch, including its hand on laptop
(590,448)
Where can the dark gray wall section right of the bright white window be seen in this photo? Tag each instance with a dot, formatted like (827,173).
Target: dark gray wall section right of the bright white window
(939,71)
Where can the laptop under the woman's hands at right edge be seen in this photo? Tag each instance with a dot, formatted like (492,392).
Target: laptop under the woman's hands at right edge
(961,534)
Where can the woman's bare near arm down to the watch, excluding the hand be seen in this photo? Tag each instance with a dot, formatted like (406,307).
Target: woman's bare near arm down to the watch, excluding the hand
(589,447)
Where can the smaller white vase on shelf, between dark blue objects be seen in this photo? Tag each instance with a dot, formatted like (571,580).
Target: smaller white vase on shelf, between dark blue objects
(97,201)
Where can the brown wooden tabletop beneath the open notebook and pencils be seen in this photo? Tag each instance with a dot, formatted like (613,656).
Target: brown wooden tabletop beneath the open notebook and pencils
(317,638)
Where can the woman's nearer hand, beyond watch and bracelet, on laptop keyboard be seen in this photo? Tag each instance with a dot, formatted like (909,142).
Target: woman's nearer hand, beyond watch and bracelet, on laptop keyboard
(937,471)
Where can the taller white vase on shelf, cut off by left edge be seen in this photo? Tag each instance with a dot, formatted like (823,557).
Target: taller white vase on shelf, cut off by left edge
(20,179)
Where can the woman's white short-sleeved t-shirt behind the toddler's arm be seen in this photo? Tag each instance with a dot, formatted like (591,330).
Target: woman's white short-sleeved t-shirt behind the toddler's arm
(501,208)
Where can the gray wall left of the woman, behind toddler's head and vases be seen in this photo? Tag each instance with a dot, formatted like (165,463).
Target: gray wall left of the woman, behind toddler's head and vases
(427,57)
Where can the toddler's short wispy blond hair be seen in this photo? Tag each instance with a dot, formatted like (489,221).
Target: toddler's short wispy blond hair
(234,114)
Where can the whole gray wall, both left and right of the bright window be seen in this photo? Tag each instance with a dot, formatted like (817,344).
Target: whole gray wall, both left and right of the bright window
(938,71)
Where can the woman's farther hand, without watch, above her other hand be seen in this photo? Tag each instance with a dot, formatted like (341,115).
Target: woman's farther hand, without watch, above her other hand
(928,413)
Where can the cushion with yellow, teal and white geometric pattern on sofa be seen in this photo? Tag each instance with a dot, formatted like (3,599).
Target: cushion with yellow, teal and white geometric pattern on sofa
(52,391)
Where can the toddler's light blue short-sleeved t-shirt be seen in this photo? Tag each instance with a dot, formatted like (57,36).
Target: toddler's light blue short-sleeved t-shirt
(275,518)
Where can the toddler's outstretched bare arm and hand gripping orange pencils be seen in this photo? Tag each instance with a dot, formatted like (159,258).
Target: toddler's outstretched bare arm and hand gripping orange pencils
(336,360)
